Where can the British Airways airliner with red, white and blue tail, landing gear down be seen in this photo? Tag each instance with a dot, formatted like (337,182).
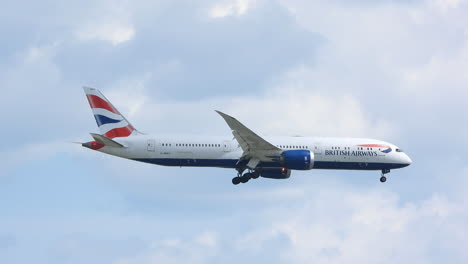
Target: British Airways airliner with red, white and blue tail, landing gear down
(249,154)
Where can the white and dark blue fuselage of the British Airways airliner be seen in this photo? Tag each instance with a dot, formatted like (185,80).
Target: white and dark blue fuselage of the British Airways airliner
(224,152)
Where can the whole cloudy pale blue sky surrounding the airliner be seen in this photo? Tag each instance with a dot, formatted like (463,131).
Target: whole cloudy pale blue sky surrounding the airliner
(392,70)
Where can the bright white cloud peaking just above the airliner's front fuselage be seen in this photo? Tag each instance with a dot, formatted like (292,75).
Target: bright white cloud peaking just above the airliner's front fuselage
(296,107)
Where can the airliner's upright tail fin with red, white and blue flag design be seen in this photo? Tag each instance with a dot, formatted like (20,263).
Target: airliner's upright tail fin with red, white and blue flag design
(110,121)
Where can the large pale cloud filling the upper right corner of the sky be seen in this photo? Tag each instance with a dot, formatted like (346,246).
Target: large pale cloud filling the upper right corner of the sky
(402,61)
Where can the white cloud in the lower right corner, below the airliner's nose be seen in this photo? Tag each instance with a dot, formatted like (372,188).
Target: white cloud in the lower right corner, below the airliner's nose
(344,226)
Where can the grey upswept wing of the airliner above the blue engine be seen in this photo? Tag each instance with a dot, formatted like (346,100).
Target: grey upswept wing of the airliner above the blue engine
(256,149)
